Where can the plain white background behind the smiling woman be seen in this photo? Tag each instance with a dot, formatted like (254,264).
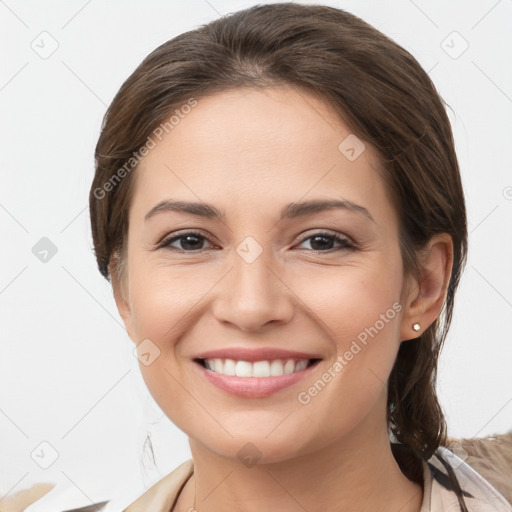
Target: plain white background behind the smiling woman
(67,373)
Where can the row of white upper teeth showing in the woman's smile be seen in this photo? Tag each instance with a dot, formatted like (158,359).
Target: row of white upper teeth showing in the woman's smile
(273,368)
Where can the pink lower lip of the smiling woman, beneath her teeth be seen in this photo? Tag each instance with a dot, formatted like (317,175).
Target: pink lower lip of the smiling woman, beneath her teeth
(254,387)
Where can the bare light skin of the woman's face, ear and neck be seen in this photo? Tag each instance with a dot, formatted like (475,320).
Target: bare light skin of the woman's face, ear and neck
(251,153)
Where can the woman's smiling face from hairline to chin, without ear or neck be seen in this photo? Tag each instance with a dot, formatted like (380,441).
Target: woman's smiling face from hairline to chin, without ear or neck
(268,274)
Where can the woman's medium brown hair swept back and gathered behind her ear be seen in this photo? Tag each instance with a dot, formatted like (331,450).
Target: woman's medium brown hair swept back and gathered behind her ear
(382,94)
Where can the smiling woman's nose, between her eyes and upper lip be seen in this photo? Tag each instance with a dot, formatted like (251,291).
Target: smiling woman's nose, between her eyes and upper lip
(253,295)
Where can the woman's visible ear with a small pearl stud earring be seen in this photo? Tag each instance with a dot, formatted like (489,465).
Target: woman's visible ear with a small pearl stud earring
(425,299)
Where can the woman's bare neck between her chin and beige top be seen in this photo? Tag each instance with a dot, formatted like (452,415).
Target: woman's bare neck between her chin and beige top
(358,474)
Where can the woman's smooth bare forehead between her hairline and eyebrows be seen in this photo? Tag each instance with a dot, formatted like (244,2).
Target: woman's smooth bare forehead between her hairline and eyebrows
(256,148)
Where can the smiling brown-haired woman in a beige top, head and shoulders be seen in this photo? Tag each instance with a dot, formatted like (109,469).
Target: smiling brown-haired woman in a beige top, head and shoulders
(278,205)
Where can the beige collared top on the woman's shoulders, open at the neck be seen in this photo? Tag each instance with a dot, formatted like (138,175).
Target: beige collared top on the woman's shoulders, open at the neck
(480,495)
